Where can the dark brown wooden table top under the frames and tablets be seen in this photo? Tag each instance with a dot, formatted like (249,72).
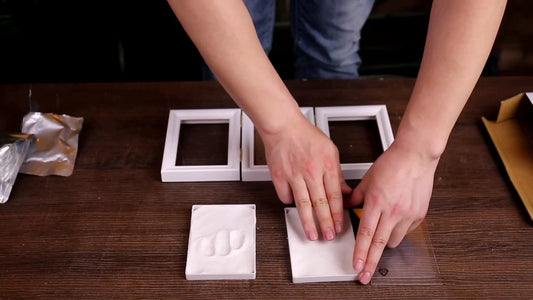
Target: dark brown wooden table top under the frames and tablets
(114,230)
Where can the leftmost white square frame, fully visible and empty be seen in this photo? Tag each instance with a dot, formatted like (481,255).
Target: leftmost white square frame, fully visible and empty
(229,172)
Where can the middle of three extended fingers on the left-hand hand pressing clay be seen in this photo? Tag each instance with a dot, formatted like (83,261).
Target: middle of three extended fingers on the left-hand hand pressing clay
(322,209)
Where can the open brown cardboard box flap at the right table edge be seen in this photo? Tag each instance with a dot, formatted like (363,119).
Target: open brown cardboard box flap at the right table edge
(509,134)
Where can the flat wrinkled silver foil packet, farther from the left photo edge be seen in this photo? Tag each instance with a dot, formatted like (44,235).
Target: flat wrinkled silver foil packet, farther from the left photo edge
(56,143)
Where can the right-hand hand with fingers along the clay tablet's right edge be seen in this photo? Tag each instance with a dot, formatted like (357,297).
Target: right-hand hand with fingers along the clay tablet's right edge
(395,191)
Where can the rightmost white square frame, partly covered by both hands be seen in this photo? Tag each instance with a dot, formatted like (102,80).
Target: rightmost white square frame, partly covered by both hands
(356,113)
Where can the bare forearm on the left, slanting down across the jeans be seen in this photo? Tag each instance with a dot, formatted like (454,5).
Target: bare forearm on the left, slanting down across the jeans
(224,34)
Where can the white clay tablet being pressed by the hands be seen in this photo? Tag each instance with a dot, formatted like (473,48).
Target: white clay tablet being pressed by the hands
(321,260)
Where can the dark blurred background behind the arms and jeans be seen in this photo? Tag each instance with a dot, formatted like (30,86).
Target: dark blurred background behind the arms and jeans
(141,40)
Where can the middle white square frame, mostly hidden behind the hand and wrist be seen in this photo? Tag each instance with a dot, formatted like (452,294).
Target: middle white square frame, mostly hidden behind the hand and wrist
(249,170)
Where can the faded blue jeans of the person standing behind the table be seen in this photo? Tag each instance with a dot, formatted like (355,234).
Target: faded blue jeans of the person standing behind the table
(326,34)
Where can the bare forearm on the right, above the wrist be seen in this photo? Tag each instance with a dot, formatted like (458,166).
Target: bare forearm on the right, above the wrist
(460,37)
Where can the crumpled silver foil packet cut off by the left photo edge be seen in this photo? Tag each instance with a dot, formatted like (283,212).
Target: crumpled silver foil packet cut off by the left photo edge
(13,150)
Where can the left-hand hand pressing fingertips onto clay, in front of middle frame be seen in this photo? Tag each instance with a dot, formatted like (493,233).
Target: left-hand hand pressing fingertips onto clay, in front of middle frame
(304,166)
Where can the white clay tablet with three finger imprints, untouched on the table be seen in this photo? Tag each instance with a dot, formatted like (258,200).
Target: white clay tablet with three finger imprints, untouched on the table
(221,242)
